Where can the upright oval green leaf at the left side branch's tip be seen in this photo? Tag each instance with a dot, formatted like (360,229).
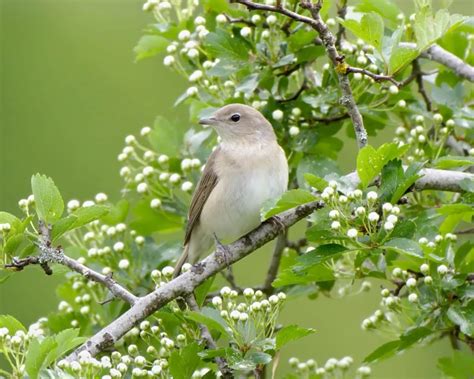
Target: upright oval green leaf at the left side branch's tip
(48,200)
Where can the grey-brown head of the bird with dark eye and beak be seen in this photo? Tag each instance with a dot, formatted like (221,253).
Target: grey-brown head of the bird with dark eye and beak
(240,123)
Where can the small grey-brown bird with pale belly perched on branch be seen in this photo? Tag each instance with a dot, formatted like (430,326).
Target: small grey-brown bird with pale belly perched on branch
(247,169)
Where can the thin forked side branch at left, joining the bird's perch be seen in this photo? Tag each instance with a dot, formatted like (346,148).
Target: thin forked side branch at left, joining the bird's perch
(50,254)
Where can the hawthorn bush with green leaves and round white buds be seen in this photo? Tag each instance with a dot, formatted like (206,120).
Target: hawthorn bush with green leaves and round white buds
(323,73)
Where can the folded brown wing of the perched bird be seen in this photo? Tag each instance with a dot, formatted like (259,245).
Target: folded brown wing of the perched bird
(204,188)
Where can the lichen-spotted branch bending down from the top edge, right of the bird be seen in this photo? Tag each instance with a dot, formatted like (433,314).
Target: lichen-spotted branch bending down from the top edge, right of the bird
(329,42)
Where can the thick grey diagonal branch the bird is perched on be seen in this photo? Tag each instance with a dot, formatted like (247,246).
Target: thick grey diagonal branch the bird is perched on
(185,284)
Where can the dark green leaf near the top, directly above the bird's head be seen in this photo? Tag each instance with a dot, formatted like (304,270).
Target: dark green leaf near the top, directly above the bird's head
(227,47)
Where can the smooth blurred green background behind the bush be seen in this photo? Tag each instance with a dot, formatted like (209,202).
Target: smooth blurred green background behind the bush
(70,93)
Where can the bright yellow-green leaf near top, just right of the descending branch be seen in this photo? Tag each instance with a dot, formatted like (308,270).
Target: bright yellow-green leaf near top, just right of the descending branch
(370,28)
